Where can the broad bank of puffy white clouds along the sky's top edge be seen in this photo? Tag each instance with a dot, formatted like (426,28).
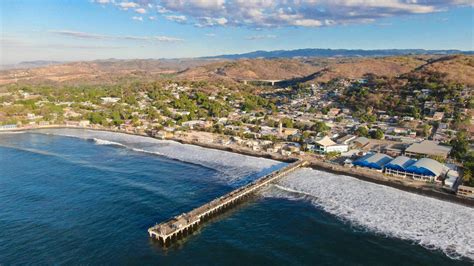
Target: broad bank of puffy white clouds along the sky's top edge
(278,13)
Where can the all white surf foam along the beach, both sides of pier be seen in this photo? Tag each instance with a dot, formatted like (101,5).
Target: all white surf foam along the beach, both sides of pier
(431,223)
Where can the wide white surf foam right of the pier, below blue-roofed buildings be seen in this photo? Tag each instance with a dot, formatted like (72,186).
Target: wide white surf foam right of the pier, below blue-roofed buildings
(429,222)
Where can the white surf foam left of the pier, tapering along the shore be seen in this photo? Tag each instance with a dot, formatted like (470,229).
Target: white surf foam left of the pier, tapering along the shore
(234,167)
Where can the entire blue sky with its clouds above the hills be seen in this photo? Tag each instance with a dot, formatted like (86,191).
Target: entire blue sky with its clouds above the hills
(99,29)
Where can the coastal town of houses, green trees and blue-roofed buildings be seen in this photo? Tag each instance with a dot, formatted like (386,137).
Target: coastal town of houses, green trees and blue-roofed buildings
(420,137)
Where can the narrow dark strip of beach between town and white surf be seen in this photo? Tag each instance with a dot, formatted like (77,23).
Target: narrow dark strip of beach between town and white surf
(364,175)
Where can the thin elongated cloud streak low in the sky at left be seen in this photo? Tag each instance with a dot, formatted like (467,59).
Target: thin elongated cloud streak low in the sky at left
(94,36)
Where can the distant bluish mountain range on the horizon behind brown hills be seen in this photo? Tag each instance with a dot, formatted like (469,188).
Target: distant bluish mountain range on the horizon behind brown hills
(336,53)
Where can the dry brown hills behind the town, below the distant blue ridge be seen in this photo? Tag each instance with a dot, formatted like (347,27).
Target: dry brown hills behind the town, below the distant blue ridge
(454,68)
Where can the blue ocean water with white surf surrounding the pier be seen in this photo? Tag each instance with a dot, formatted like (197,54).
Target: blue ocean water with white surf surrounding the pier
(85,197)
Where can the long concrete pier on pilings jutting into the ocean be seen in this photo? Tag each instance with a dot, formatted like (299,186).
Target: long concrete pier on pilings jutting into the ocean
(183,224)
